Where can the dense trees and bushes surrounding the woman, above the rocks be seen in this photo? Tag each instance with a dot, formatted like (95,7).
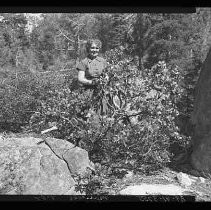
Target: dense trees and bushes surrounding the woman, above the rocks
(154,62)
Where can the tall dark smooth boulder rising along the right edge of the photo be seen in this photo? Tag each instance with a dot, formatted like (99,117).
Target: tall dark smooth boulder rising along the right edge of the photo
(201,118)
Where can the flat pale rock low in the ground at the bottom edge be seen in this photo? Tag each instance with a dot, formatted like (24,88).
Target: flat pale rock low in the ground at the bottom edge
(153,189)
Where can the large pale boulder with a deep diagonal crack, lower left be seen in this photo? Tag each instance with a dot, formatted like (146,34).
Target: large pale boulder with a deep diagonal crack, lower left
(27,167)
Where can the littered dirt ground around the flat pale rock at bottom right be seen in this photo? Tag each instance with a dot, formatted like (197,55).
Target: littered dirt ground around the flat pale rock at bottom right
(200,188)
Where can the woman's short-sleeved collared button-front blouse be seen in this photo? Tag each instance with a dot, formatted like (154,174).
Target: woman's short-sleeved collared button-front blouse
(93,68)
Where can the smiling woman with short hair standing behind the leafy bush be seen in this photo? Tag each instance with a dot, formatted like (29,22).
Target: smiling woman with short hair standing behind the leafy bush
(89,70)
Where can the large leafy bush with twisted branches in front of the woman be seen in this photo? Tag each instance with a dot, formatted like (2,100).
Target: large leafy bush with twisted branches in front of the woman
(140,127)
